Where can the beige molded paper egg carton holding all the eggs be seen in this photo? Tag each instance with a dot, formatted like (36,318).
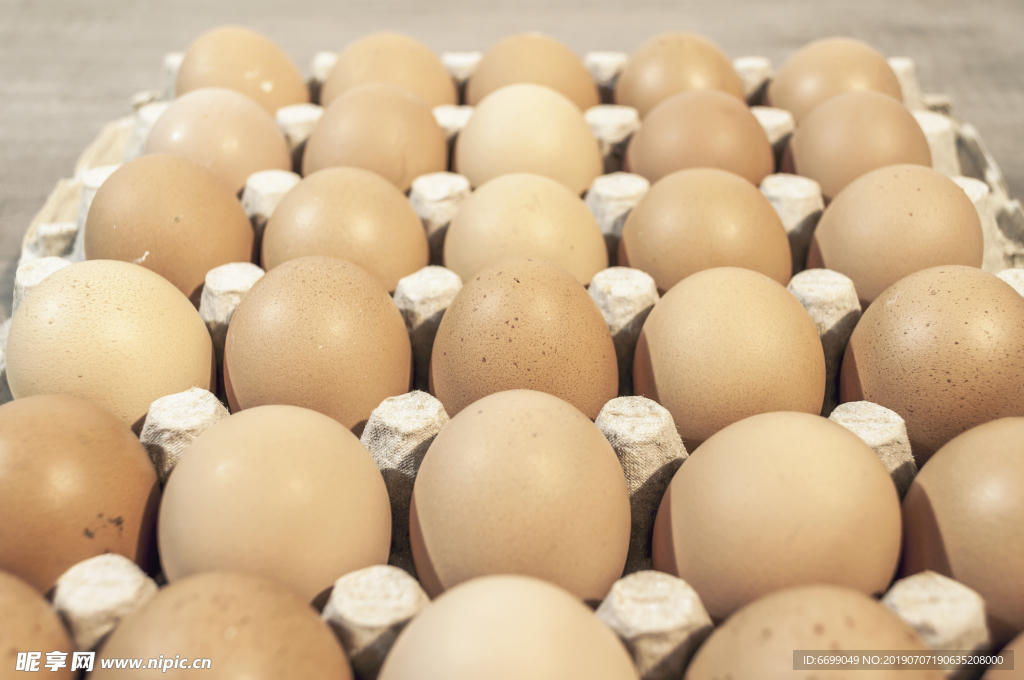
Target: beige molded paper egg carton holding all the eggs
(643,434)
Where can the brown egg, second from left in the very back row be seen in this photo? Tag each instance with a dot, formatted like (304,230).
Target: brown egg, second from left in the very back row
(395,59)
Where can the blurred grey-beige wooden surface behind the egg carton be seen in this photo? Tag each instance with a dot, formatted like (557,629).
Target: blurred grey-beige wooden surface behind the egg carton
(68,67)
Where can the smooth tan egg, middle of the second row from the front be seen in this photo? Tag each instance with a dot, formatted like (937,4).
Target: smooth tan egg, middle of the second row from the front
(521,483)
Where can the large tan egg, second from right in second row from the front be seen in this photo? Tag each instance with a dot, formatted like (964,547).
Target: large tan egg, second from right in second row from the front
(779,500)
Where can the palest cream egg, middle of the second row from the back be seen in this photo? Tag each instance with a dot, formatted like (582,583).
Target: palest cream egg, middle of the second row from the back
(529,129)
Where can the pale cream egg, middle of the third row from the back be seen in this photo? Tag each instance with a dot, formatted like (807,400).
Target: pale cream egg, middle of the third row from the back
(525,216)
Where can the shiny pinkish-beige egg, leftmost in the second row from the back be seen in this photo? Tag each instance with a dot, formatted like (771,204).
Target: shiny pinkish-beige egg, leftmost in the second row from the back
(224,132)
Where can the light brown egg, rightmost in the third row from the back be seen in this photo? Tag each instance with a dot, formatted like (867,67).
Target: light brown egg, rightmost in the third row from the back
(894,222)
